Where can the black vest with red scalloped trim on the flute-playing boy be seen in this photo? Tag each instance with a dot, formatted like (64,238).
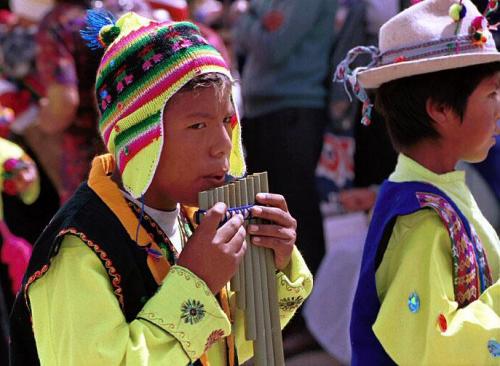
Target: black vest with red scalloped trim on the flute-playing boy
(85,213)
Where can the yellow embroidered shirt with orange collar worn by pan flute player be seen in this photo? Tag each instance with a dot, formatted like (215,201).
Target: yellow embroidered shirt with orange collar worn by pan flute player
(84,324)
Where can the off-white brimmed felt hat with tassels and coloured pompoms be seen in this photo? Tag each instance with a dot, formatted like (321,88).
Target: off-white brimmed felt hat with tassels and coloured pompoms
(433,35)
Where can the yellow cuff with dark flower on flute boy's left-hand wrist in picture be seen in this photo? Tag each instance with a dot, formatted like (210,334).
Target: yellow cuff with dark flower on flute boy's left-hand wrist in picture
(185,308)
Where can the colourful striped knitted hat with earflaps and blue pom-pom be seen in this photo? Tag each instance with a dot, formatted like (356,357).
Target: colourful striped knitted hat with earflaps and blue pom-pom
(144,64)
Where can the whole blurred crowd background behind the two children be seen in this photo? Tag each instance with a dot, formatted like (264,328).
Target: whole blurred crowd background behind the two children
(297,125)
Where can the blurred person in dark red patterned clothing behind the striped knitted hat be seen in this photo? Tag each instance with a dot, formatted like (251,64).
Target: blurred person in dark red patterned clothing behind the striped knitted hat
(65,66)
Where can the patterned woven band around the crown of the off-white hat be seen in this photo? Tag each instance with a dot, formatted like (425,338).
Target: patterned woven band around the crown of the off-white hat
(441,47)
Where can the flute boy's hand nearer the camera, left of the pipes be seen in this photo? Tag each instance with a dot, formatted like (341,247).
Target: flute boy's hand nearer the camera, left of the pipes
(213,253)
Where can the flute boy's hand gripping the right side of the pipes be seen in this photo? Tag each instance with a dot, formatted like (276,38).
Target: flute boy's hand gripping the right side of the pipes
(280,234)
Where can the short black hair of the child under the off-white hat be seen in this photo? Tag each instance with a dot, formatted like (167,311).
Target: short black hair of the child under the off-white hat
(402,102)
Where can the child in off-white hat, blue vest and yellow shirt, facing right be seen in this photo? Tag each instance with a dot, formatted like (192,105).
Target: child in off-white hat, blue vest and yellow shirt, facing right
(429,288)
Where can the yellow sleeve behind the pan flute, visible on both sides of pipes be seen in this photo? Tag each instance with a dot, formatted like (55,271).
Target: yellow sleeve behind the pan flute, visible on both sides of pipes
(293,285)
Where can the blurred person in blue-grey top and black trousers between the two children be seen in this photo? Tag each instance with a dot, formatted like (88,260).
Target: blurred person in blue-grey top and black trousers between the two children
(287,47)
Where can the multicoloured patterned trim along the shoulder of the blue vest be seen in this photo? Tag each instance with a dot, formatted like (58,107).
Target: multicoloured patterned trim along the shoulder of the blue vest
(471,274)
